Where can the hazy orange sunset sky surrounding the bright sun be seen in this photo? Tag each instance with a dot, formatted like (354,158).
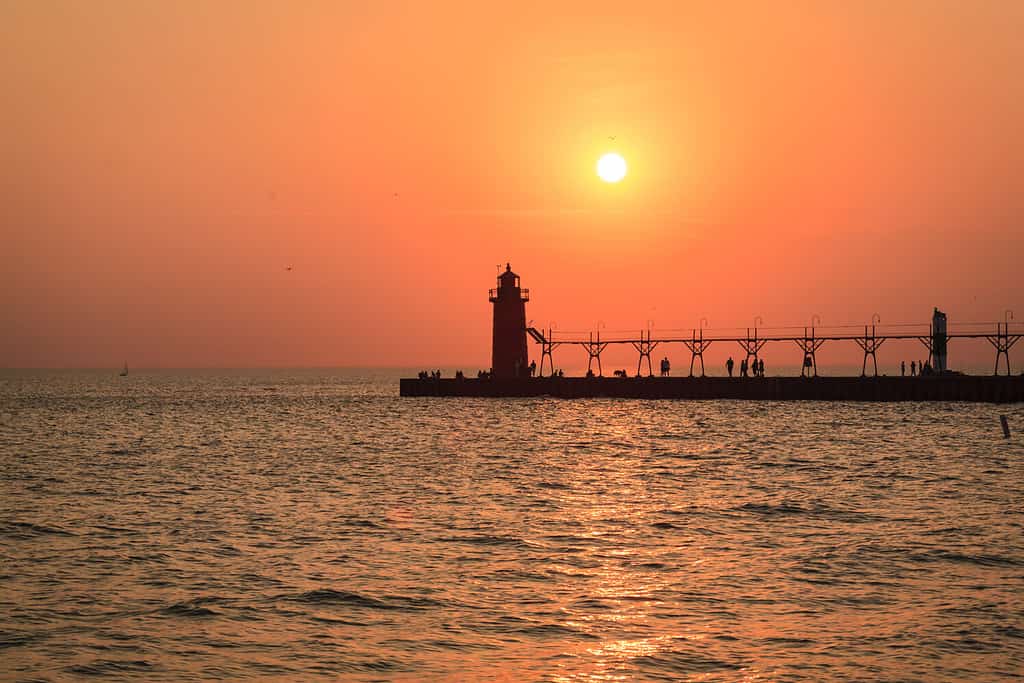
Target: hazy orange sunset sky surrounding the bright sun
(164,162)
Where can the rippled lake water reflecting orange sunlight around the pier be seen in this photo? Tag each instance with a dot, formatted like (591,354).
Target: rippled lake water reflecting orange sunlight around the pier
(298,526)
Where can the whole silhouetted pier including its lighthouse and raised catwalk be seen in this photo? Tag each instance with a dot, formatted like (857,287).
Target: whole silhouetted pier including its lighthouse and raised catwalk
(514,375)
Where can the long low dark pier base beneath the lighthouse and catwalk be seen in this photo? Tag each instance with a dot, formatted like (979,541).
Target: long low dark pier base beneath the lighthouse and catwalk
(996,390)
